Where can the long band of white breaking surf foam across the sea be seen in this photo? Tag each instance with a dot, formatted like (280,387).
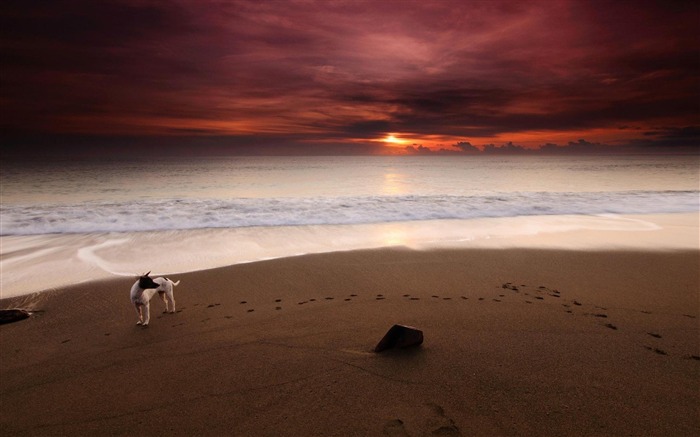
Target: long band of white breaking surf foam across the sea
(185,214)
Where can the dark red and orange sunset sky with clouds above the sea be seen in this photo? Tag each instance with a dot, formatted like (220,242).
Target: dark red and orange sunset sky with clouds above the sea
(350,77)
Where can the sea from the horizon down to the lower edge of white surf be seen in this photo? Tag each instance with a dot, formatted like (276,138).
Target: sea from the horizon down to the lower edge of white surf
(235,192)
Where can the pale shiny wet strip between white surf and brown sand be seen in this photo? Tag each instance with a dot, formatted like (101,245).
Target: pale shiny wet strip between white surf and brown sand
(38,263)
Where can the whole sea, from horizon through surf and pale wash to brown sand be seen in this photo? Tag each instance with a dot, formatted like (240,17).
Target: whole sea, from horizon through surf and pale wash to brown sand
(69,221)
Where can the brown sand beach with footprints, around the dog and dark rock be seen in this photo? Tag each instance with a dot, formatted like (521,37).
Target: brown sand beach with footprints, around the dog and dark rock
(517,342)
